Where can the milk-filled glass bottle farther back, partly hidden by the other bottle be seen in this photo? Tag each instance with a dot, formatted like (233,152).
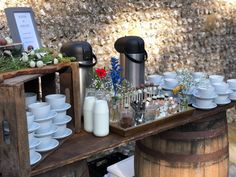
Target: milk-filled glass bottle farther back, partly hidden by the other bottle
(88,107)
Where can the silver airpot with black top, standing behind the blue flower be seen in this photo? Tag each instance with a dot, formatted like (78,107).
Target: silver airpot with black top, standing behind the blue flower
(132,58)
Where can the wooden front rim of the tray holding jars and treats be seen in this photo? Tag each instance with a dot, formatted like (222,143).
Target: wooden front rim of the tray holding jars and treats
(114,127)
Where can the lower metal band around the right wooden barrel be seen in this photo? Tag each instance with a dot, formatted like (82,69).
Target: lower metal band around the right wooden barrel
(171,157)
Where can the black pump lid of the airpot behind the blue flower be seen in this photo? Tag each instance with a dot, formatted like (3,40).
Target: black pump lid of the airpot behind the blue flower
(130,45)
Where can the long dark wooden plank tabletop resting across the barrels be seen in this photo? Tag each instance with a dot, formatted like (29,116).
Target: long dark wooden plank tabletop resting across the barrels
(83,145)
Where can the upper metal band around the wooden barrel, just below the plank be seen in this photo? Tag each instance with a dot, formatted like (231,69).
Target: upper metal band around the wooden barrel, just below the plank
(174,135)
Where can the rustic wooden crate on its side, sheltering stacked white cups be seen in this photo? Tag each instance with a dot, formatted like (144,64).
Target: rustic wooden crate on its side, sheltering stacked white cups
(14,155)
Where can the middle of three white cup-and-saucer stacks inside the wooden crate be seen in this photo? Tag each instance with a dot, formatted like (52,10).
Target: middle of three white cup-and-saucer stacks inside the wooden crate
(43,116)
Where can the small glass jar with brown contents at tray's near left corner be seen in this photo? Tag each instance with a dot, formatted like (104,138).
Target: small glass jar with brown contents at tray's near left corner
(126,118)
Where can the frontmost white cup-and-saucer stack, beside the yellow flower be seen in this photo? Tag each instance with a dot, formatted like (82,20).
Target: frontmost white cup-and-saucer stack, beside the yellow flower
(204,98)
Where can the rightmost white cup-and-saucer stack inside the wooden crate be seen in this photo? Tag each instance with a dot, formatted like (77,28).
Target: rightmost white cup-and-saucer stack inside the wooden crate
(58,104)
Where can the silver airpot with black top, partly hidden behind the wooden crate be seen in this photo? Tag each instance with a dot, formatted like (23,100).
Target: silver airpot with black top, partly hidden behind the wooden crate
(83,53)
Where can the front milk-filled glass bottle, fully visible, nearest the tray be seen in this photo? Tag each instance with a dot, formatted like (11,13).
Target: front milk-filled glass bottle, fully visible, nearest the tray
(101,115)
